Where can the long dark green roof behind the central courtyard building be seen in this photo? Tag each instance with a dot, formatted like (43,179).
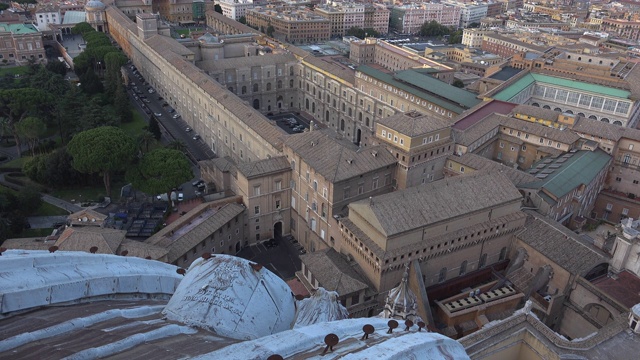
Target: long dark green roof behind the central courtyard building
(426,87)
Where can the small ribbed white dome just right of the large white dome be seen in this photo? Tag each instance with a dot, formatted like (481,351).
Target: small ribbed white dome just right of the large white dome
(322,306)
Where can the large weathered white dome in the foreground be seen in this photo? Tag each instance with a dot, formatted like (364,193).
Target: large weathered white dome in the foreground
(234,298)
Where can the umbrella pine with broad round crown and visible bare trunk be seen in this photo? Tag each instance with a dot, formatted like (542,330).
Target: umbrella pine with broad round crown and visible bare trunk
(103,150)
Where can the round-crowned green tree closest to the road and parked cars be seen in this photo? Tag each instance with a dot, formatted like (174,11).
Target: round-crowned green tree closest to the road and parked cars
(160,170)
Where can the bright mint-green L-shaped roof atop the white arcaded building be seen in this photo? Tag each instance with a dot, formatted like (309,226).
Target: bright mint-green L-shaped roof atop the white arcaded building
(515,88)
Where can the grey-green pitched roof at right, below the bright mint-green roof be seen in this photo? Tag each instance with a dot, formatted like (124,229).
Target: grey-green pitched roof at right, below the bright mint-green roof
(567,172)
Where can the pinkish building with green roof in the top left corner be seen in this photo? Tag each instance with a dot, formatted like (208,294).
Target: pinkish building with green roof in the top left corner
(20,43)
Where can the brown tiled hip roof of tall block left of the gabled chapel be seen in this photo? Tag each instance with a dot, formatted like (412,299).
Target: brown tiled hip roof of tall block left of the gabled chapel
(337,161)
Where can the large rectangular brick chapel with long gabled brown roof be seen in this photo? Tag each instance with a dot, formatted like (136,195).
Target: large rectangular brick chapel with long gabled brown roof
(451,227)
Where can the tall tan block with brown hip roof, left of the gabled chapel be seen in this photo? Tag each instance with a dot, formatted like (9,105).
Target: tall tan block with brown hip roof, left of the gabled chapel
(328,174)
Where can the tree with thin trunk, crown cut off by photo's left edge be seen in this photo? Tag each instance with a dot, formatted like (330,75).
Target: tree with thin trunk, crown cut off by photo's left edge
(16,104)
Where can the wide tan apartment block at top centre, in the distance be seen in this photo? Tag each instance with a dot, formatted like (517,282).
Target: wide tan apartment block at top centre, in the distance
(293,25)
